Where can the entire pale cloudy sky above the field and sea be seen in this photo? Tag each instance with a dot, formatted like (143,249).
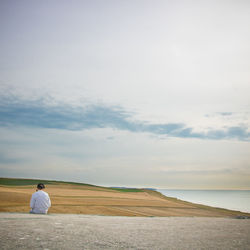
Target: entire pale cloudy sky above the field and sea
(135,93)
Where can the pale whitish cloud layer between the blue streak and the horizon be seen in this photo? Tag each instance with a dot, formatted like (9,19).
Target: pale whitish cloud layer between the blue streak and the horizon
(130,159)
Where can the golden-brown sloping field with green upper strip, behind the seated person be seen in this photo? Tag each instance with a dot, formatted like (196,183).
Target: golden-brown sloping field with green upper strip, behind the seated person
(78,198)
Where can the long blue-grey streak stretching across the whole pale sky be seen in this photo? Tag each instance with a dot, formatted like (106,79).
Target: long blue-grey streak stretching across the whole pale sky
(15,112)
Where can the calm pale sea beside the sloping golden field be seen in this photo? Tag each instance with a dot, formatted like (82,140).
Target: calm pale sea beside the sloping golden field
(238,200)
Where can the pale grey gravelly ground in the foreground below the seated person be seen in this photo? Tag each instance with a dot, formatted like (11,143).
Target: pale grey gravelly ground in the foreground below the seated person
(61,231)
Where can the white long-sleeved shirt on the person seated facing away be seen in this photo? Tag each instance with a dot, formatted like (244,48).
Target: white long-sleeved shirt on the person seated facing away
(40,202)
